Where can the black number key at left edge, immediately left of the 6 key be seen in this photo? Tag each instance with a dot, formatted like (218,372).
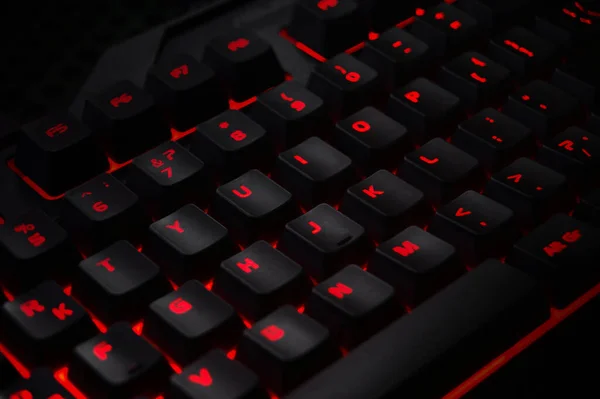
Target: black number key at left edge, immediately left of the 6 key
(34,248)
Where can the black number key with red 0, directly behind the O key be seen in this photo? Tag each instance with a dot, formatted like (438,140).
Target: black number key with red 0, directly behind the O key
(345,84)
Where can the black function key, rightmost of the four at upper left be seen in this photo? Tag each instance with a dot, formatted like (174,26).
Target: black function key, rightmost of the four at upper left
(245,63)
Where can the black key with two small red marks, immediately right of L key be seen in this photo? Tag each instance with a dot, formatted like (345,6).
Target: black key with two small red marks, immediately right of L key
(494,139)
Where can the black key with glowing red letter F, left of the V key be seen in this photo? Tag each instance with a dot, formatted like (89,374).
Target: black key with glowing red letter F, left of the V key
(118,364)
